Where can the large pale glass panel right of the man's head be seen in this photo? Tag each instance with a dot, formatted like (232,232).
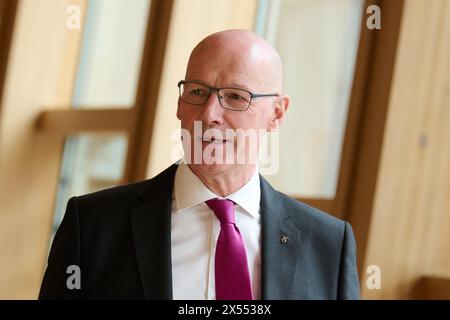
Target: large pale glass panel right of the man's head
(317,41)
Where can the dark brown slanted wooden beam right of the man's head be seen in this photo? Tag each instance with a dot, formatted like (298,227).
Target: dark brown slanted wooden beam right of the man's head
(374,98)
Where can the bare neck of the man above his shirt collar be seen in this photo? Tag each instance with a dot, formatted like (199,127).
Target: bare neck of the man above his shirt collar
(224,183)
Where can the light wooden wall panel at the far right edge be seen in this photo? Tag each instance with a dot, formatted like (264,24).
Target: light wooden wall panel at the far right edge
(409,229)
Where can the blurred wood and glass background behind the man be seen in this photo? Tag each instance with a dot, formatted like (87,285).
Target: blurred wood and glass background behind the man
(88,98)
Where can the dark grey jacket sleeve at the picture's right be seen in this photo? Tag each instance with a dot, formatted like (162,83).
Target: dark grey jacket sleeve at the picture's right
(348,288)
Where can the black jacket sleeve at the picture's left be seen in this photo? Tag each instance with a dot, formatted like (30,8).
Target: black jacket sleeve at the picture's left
(63,259)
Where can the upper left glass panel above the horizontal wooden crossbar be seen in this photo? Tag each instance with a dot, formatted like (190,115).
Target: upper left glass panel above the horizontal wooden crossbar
(110,57)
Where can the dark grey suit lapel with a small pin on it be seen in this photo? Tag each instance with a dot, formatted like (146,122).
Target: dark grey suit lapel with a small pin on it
(280,245)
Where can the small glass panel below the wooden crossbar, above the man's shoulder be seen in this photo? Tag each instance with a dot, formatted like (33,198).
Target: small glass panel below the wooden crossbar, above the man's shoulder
(90,163)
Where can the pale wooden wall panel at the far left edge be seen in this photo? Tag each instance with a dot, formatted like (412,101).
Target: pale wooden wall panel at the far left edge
(41,70)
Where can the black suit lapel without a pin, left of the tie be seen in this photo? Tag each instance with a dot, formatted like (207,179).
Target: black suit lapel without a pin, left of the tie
(151,225)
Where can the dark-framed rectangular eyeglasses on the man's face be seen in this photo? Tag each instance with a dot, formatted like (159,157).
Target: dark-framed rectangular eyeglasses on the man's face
(235,99)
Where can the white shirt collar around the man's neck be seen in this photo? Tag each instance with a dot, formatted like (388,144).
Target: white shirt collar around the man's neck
(190,191)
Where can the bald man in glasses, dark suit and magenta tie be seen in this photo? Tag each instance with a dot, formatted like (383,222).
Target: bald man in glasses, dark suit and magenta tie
(206,229)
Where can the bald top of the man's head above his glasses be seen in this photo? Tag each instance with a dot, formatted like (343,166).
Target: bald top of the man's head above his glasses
(237,53)
